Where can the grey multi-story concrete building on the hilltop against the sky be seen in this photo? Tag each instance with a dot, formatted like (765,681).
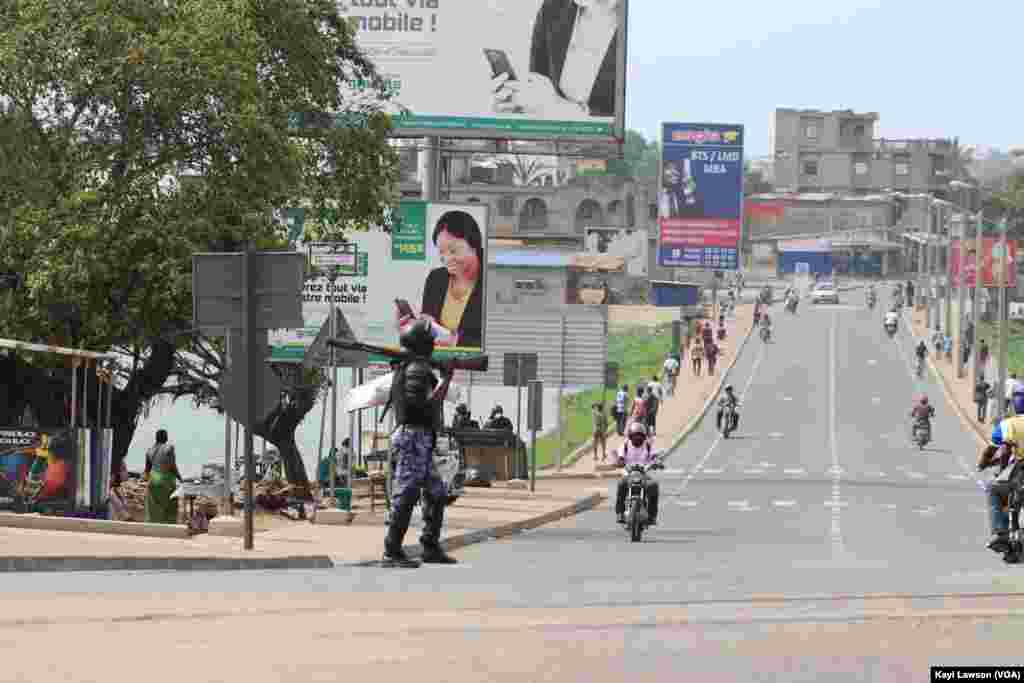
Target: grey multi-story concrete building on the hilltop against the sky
(840,152)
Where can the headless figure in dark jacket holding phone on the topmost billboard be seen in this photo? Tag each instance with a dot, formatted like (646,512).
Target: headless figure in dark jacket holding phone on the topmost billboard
(573,62)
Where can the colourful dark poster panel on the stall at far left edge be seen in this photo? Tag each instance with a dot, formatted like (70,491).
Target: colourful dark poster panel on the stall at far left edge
(37,467)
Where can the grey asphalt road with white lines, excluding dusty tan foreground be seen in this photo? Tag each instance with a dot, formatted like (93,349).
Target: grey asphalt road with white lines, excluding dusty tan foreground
(820,492)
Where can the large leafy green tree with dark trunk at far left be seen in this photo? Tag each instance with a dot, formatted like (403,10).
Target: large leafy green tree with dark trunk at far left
(135,134)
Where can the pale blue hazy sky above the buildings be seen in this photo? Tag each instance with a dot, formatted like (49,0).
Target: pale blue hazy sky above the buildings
(929,69)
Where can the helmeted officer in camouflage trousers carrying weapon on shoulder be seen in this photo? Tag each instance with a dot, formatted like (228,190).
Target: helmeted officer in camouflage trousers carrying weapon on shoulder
(417,400)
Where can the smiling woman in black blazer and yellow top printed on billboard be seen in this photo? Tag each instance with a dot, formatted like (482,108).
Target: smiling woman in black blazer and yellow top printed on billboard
(453,295)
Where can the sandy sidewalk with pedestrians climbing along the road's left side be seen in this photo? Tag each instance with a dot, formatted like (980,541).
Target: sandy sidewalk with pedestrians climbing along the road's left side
(677,413)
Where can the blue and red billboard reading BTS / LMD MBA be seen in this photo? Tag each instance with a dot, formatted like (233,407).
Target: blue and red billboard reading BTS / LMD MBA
(702,196)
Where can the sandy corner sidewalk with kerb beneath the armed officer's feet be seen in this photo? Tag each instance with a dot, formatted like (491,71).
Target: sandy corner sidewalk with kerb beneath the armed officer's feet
(480,516)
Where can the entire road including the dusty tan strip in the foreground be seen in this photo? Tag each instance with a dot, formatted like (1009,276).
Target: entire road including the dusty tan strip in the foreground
(819,494)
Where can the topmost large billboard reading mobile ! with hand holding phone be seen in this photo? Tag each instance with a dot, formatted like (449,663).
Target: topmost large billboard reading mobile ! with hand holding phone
(501,69)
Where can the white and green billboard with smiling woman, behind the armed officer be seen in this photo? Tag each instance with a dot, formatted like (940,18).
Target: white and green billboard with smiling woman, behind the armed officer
(434,264)
